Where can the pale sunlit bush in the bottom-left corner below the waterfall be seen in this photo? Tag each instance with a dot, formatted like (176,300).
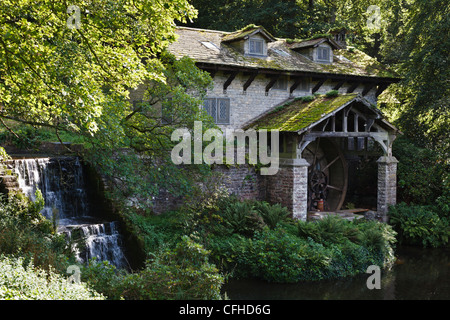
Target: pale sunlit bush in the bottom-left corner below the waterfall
(30,283)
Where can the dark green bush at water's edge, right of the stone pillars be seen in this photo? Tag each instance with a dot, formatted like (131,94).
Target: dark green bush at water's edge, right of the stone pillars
(420,225)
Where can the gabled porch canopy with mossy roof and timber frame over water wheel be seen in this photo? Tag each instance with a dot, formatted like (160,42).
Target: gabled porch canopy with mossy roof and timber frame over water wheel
(341,116)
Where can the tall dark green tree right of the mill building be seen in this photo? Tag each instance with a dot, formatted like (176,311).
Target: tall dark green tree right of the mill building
(419,105)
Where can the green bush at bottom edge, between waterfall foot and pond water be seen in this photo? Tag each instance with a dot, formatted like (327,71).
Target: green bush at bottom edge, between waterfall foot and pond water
(179,273)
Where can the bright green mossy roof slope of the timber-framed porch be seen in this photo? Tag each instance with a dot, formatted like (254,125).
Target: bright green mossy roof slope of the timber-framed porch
(298,114)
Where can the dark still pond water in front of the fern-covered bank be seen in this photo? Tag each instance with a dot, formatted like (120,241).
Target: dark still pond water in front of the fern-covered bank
(419,274)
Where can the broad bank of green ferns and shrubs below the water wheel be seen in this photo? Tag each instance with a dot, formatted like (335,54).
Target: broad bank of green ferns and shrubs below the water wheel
(326,249)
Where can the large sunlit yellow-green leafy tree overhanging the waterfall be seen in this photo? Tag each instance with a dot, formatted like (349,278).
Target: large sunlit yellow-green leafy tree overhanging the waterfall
(71,68)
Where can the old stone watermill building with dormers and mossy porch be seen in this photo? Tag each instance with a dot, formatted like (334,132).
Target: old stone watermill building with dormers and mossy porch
(319,93)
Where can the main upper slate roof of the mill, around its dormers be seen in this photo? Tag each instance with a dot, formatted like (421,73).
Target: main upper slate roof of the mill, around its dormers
(208,47)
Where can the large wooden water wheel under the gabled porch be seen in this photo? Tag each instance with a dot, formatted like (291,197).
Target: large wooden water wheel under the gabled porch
(327,175)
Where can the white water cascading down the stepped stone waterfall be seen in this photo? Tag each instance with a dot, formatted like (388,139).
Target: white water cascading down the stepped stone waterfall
(63,187)
